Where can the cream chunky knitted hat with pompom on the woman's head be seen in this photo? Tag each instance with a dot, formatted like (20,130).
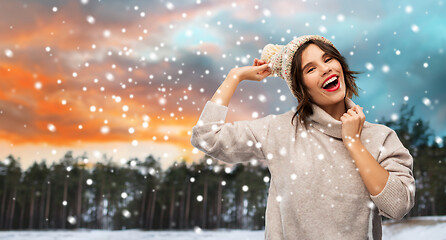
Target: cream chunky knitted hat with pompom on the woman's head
(280,57)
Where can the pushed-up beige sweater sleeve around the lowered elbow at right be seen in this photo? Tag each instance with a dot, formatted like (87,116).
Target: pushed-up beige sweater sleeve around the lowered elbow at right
(397,197)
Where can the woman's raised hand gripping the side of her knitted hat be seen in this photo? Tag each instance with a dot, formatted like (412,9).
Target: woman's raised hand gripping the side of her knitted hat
(257,72)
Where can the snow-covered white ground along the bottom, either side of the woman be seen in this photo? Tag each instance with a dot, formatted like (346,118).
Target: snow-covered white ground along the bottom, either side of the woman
(432,228)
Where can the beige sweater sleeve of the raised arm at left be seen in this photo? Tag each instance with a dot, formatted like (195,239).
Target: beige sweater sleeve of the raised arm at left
(229,142)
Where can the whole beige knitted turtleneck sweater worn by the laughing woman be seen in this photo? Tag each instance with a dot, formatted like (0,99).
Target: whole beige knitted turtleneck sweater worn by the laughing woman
(316,191)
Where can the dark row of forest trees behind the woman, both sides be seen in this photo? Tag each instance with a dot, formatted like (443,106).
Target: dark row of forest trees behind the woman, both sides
(75,193)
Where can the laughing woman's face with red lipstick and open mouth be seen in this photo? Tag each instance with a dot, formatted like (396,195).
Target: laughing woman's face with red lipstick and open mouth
(319,69)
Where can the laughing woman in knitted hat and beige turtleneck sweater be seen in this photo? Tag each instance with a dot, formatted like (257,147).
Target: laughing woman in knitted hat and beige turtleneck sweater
(333,173)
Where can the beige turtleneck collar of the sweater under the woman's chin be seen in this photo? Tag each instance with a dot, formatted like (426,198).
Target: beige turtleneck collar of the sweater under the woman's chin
(325,123)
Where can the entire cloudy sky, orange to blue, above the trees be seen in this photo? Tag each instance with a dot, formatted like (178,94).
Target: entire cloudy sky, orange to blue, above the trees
(127,79)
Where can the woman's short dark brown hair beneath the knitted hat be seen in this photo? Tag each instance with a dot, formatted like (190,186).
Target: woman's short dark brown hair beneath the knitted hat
(303,109)
